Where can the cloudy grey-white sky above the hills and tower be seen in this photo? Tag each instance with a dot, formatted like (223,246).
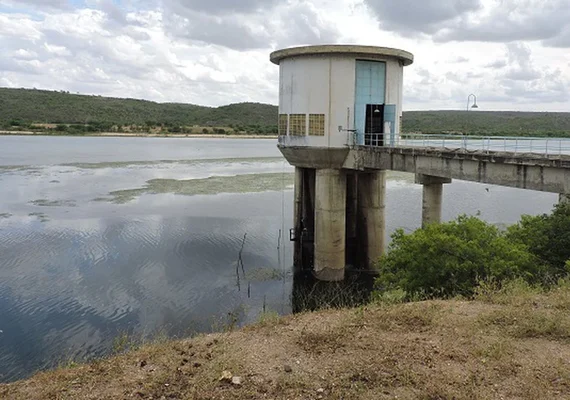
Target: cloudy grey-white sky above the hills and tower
(513,54)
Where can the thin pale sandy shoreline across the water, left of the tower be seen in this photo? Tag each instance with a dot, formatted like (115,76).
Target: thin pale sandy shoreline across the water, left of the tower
(140,135)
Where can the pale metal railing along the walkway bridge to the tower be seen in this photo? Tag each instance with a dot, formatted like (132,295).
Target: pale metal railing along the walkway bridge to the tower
(465,143)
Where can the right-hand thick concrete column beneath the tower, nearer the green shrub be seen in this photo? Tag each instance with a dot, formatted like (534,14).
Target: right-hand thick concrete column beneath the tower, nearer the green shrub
(371,211)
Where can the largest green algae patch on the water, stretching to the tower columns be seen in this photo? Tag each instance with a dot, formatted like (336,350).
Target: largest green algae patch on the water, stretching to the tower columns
(214,185)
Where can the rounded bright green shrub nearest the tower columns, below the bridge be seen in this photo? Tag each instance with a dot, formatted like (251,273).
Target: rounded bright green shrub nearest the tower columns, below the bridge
(449,259)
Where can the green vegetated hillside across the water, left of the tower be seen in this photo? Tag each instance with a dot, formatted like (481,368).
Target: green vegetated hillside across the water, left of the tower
(65,113)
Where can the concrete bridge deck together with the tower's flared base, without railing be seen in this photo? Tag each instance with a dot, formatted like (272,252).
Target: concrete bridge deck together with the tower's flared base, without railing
(534,171)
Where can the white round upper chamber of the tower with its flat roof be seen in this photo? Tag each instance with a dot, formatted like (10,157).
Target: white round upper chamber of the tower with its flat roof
(326,93)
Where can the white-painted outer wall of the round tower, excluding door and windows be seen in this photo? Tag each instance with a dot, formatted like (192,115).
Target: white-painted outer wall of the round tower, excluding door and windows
(326,85)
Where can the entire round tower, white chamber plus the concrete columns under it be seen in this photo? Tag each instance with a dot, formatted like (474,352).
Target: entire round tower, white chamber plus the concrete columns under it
(332,98)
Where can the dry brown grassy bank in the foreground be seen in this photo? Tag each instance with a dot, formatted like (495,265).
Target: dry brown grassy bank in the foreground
(504,346)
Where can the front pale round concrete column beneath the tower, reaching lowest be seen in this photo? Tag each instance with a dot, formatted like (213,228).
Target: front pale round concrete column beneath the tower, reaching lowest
(330,224)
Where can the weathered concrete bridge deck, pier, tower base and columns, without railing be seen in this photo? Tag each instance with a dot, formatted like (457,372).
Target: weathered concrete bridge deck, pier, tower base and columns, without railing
(327,211)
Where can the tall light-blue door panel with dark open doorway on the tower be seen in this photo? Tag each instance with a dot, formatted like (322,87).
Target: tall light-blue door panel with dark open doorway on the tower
(370,96)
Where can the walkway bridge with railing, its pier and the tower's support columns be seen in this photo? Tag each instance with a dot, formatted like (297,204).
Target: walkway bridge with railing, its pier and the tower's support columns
(340,191)
